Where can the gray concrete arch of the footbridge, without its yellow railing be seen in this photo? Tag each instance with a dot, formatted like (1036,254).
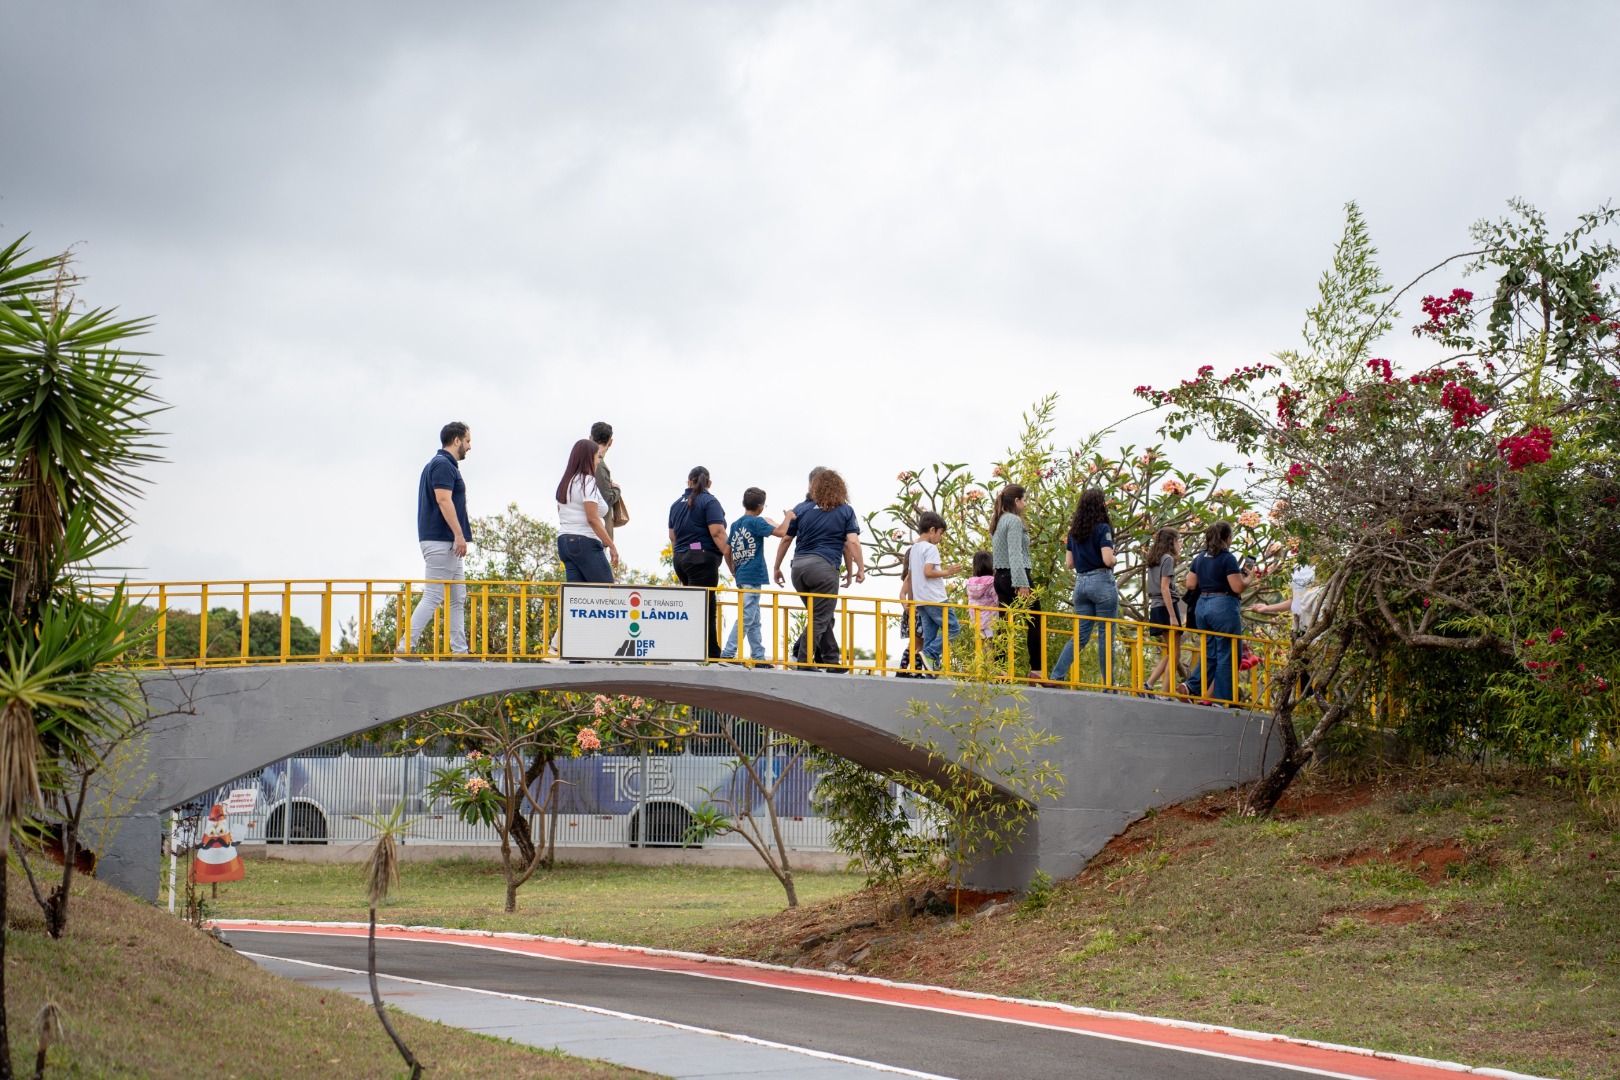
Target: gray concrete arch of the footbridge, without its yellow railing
(1122,755)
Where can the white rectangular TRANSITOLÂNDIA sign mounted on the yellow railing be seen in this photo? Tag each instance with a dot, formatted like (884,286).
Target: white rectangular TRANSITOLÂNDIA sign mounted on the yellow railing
(631,623)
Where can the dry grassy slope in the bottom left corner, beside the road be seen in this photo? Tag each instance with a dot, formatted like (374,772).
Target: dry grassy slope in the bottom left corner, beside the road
(147,997)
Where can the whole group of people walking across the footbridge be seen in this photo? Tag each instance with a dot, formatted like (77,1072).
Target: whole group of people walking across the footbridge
(824,535)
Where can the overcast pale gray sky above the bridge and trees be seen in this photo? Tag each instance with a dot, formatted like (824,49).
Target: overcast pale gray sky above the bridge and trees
(751,236)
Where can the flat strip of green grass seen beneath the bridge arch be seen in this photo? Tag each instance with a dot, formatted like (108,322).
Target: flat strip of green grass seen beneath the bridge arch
(652,906)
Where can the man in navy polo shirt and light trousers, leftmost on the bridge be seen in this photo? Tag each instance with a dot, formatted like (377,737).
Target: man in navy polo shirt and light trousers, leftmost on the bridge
(443,530)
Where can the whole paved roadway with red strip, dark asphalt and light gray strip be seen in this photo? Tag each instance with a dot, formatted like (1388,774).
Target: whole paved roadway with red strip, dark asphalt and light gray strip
(686,1016)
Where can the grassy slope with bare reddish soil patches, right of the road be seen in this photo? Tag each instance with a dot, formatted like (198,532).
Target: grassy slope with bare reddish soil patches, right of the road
(1469,922)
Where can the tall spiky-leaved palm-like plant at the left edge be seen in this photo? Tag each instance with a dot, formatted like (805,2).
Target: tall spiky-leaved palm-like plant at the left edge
(75,412)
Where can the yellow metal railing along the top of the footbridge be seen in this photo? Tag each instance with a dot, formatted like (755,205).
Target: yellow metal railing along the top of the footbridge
(226,624)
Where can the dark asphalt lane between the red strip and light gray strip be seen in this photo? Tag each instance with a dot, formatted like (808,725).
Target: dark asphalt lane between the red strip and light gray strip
(966,1048)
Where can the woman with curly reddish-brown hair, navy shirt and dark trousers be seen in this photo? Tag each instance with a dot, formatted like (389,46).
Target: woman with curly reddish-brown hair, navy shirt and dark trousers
(825,534)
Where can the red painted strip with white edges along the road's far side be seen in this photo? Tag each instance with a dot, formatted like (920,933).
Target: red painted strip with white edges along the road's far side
(1277,1050)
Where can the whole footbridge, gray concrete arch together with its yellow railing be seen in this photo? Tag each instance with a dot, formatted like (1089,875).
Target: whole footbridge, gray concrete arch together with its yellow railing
(226,712)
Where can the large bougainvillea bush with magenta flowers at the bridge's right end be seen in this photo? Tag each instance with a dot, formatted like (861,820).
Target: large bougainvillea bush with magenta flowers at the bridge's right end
(1456,485)
